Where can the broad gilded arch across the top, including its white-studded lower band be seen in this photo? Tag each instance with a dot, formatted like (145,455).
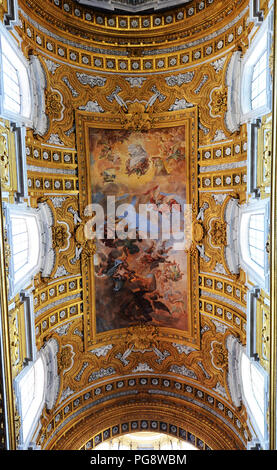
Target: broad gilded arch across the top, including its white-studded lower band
(188,45)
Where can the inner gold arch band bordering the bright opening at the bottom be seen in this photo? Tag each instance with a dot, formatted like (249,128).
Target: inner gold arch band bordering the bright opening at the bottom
(194,420)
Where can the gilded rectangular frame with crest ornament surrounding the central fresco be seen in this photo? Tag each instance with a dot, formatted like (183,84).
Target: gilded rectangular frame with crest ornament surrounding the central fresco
(85,122)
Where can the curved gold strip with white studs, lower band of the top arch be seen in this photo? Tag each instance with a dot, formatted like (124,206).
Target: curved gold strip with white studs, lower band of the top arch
(119,61)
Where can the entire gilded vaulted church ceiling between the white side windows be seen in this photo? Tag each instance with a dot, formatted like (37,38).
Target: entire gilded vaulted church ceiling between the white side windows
(160,87)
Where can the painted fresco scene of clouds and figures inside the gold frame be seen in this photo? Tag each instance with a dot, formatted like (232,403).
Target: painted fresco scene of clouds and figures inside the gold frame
(140,279)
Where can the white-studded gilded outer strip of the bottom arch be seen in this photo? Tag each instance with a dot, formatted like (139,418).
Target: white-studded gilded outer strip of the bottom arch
(186,391)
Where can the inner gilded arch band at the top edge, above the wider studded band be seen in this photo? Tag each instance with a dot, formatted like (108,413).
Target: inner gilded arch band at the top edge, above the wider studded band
(69,17)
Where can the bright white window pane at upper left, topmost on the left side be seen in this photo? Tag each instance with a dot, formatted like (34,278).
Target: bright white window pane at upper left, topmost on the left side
(15,82)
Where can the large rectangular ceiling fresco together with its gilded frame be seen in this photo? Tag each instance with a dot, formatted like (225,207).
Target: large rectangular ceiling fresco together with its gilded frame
(140,180)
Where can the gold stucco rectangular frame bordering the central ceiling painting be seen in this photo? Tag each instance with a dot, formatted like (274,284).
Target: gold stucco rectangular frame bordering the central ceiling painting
(85,121)
